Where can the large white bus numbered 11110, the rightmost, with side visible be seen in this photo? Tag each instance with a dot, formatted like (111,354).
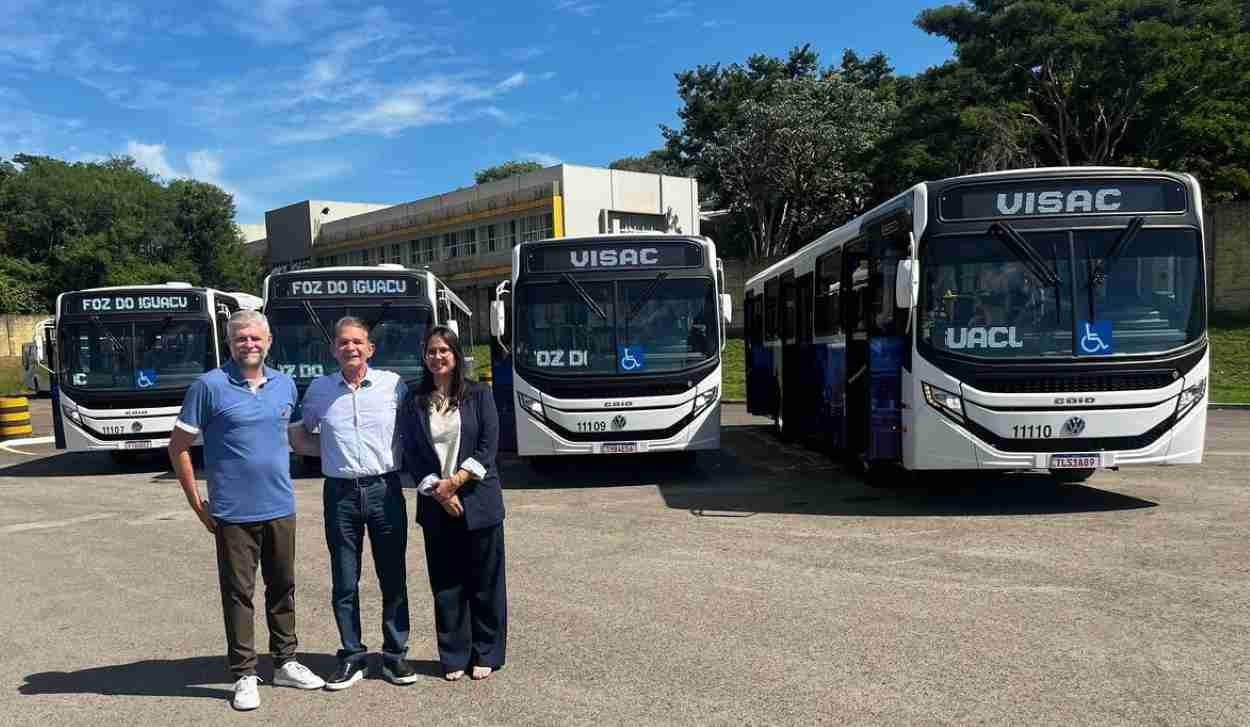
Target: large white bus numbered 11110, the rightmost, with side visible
(1046,319)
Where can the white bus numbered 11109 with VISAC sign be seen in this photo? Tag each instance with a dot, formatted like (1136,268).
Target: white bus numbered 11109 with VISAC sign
(613,345)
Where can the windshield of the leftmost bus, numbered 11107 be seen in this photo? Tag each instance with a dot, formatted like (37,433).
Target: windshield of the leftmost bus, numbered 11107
(109,355)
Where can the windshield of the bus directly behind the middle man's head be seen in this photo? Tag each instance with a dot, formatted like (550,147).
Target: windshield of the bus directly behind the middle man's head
(302,352)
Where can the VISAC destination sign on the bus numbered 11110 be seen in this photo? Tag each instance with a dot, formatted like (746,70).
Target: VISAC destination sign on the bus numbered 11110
(1063,198)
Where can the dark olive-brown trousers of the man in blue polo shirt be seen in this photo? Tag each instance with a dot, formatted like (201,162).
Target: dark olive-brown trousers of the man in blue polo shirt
(241,546)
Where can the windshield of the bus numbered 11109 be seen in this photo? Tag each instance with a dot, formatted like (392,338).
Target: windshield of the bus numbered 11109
(636,327)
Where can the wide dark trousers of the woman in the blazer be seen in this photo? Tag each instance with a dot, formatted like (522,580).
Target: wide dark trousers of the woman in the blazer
(471,599)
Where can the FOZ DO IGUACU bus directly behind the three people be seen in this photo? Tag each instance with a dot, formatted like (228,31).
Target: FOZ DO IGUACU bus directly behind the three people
(398,304)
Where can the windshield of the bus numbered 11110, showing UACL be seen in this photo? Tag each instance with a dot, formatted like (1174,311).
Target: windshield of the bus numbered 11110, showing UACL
(982,297)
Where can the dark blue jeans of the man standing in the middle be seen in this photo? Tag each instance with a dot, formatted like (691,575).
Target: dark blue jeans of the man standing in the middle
(376,505)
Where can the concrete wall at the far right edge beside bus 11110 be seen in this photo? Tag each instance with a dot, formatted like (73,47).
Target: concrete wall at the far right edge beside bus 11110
(1228,252)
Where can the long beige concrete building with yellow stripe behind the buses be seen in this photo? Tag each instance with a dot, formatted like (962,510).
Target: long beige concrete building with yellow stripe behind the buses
(466,237)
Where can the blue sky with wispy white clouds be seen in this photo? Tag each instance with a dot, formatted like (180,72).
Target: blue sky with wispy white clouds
(278,102)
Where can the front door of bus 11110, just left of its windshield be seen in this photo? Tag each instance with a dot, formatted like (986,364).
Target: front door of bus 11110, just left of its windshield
(888,243)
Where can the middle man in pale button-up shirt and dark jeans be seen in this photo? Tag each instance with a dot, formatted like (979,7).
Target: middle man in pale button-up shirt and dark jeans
(354,413)
